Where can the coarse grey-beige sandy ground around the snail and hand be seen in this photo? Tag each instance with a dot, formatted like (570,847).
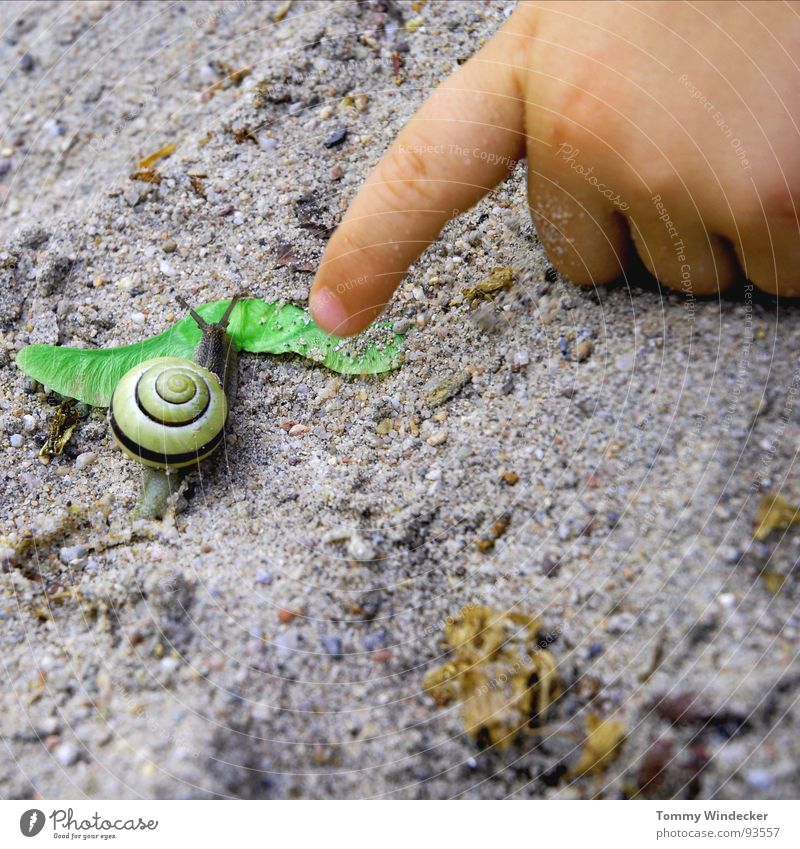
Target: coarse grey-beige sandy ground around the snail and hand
(154,661)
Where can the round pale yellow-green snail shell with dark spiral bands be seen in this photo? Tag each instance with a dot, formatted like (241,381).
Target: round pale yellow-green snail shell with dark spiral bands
(168,413)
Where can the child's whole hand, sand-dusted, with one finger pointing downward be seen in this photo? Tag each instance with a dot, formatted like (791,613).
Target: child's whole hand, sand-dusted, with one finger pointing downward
(669,129)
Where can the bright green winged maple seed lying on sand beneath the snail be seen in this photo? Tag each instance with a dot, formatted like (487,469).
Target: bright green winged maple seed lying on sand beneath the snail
(90,375)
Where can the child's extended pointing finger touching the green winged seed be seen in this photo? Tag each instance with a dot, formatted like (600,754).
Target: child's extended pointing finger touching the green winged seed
(463,141)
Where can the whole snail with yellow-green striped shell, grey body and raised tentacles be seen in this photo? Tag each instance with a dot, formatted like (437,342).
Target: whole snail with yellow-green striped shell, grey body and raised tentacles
(169,413)
